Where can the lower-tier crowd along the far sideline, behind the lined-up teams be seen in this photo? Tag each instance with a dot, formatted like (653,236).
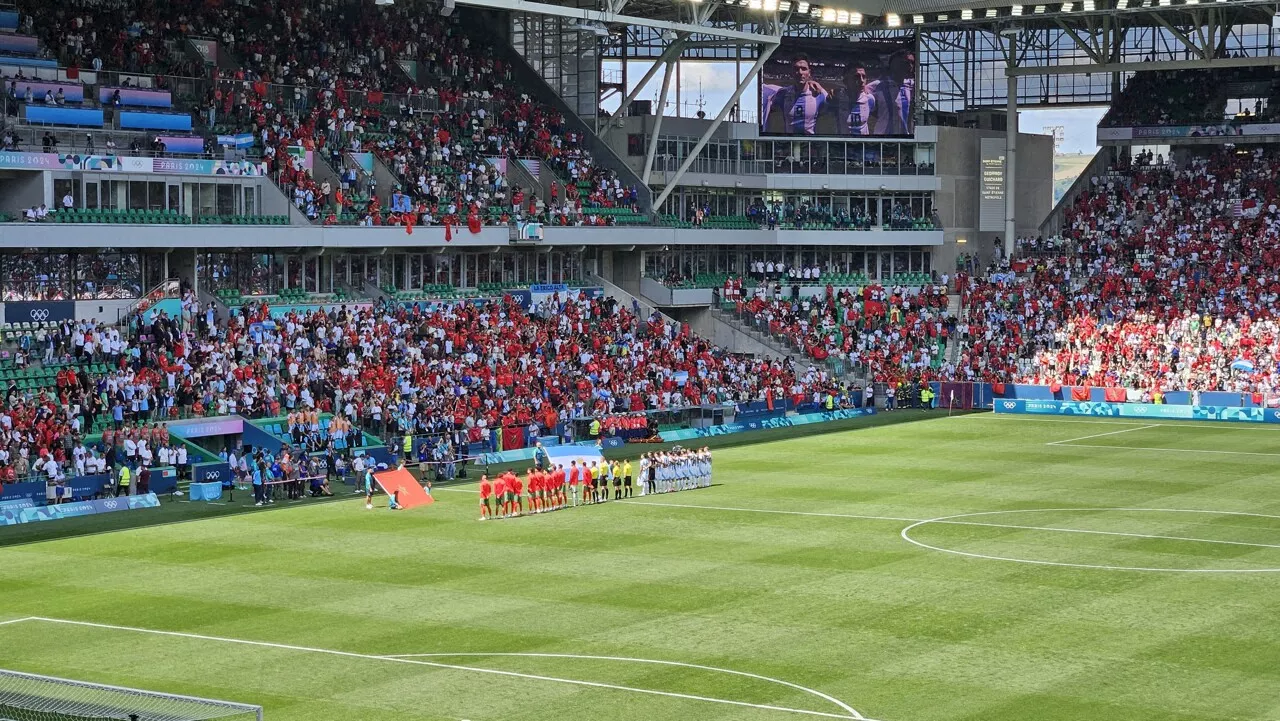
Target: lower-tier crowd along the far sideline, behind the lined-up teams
(464,371)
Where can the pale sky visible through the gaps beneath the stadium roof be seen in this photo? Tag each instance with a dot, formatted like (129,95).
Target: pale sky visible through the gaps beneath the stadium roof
(708,85)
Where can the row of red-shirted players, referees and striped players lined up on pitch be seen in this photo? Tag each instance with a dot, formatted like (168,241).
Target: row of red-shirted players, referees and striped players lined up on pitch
(582,485)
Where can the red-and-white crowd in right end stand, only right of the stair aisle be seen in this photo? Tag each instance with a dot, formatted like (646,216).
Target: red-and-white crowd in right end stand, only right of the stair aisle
(1165,281)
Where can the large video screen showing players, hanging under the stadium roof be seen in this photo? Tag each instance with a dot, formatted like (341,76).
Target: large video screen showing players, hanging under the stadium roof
(835,88)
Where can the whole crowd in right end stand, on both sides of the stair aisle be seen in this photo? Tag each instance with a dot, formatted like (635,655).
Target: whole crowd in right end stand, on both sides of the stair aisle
(1164,280)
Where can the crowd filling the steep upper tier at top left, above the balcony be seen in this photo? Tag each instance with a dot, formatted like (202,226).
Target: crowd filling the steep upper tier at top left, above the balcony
(326,79)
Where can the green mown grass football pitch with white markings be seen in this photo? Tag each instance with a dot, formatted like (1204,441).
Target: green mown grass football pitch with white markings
(1101,571)
